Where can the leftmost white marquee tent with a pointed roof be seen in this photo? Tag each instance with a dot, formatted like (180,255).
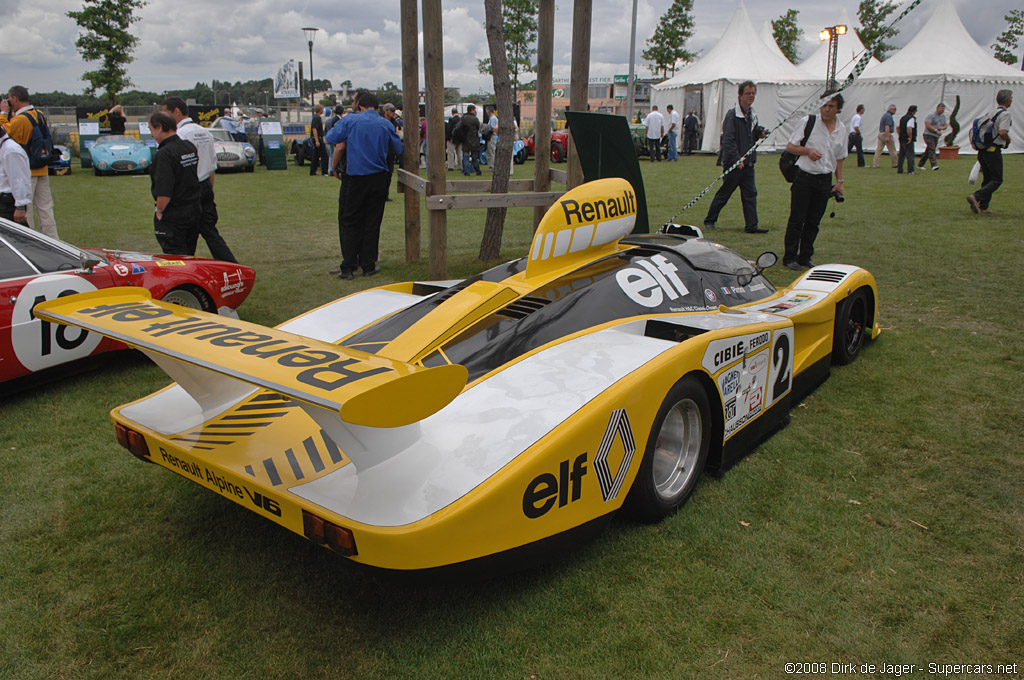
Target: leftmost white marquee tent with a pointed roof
(740,56)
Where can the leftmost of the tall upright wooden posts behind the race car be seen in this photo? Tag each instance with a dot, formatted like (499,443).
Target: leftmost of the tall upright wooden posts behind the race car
(411,113)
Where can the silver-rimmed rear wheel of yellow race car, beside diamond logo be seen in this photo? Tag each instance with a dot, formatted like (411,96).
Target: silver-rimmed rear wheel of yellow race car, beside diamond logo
(676,453)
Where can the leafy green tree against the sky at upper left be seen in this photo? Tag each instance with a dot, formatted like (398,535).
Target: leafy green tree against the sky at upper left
(105,38)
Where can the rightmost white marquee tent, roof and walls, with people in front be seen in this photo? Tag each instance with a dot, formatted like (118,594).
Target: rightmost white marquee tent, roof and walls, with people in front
(943,62)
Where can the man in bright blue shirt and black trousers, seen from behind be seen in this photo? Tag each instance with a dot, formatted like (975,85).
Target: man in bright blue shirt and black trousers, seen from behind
(365,139)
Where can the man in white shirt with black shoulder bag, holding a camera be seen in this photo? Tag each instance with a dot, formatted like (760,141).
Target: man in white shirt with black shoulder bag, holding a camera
(822,155)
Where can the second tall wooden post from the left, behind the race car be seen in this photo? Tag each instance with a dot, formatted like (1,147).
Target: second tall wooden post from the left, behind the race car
(434,75)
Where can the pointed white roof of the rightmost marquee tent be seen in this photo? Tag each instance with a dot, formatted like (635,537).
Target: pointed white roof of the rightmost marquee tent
(944,47)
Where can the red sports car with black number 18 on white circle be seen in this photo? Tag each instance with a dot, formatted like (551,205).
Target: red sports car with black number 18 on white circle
(34,268)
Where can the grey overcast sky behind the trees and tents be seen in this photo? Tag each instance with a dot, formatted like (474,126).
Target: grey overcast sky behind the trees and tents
(188,41)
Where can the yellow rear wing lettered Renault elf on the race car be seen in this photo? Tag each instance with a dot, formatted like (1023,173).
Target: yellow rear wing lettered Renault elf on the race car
(347,391)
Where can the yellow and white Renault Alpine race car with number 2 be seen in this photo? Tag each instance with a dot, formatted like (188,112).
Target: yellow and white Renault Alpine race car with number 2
(417,426)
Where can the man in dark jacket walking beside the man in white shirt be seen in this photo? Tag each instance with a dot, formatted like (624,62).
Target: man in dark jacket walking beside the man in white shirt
(740,133)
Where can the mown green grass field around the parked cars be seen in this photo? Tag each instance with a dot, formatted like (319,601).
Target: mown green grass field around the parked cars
(884,526)
